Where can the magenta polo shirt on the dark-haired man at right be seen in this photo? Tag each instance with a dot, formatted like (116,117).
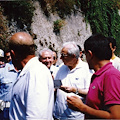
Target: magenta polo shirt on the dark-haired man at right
(104,88)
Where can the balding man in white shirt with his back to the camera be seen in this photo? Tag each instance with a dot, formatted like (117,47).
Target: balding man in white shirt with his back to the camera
(33,92)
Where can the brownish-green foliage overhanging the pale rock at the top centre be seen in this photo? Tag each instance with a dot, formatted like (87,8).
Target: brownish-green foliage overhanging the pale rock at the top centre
(62,7)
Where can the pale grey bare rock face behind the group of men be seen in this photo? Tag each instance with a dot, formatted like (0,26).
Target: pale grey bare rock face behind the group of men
(74,29)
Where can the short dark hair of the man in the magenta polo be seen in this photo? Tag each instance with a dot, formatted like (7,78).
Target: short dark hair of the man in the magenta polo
(99,45)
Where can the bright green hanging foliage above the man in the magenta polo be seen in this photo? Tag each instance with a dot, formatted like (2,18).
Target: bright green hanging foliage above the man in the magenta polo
(103,17)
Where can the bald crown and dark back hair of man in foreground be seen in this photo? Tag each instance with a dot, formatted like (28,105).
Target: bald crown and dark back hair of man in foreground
(22,43)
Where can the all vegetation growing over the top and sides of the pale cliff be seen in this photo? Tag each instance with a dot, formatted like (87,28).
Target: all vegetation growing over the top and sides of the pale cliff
(101,14)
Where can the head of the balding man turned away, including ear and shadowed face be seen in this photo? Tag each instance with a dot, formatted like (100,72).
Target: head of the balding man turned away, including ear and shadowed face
(21,45)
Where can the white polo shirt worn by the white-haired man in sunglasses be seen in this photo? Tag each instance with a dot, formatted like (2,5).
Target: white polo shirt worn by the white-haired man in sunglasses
(78,77)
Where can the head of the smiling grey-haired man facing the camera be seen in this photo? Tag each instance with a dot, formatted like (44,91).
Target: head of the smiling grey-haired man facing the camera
(46,57)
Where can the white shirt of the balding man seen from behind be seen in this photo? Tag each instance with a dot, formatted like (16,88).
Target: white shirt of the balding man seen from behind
(33,93)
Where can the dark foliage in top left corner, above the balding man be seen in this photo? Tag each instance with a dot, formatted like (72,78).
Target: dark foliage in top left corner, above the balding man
(20,11)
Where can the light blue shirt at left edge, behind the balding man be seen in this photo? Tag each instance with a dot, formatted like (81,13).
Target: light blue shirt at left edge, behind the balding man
(8,76)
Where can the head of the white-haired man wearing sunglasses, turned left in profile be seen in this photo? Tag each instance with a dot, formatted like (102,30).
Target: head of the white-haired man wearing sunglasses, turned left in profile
(70,53)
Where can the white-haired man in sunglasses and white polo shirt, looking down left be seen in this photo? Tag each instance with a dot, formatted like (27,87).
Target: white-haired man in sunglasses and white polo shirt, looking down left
(75,77)
